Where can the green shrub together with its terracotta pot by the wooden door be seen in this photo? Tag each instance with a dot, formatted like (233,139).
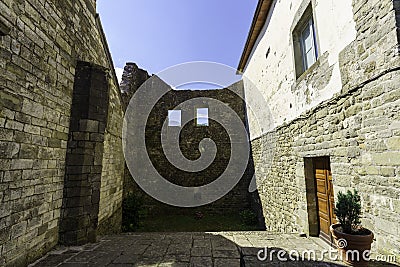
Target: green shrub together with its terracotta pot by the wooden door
(353,241)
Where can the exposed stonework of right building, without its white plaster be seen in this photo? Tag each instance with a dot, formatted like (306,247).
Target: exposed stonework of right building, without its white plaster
(358,128)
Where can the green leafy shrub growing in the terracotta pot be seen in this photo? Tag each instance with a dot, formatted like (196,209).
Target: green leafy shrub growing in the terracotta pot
(348,211)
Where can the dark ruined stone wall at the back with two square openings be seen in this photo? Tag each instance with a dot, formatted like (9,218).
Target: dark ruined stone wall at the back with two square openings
(175,107)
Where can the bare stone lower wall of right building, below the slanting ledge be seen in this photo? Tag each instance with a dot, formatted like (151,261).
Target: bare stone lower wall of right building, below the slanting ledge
(363,154)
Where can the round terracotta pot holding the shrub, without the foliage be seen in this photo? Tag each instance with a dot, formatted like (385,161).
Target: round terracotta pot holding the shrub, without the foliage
(354,250)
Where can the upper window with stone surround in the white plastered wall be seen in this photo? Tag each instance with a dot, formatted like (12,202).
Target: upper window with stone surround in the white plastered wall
(305,43)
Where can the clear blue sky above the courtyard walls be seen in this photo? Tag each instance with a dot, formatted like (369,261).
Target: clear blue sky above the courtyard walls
(157,34)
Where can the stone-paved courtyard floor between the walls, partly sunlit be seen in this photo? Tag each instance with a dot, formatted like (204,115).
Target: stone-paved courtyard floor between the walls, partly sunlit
(222,249)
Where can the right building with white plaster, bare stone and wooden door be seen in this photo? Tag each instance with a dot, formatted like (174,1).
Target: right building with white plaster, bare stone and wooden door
(330,72)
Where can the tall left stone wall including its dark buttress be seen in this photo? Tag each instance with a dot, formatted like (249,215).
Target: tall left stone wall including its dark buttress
(61,160)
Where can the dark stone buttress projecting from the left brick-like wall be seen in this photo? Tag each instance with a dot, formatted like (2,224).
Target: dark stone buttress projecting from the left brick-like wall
(84,155)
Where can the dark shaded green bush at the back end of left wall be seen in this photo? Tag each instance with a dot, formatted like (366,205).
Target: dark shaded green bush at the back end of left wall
(133,212)
